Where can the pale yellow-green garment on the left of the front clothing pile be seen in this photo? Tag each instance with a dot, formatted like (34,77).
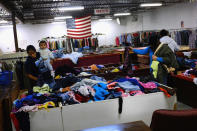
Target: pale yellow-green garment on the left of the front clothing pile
(42,90)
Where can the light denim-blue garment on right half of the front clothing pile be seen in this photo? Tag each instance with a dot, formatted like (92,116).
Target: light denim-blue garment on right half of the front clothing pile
(128,86)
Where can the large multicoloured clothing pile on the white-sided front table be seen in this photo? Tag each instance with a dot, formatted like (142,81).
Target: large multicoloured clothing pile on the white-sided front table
(71,89)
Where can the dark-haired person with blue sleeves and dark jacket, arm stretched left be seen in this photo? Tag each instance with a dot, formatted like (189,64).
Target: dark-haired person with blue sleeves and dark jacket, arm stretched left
(164,55)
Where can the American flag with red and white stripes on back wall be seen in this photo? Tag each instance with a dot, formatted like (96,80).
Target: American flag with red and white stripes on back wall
(79,28)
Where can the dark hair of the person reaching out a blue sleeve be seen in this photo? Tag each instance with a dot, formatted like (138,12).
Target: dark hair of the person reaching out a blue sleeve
(154,41)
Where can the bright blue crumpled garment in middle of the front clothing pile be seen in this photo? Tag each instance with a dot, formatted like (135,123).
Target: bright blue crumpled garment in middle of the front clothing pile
(100,91)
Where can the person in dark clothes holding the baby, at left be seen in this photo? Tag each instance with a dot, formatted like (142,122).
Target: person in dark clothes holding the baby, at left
(31,69)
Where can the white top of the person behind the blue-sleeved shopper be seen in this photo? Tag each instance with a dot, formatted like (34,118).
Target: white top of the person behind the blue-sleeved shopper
(171,43)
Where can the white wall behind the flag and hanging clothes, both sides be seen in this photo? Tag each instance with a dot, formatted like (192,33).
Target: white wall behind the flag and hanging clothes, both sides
(164,17)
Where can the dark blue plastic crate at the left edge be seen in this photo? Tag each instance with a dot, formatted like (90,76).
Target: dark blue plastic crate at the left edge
(6,78)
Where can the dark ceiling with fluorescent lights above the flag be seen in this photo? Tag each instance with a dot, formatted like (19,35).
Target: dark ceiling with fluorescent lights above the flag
(43,11)
